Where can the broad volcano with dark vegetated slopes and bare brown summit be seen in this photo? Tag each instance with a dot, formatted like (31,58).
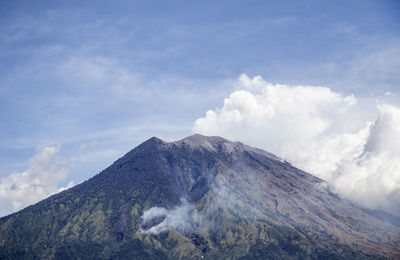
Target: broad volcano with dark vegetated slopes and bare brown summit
(197,198)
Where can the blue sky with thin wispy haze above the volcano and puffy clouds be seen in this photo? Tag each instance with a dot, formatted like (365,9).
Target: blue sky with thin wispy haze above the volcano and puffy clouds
(99,77)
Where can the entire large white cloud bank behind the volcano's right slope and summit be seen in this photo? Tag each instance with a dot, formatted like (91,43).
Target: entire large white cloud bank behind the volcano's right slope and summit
(320,131)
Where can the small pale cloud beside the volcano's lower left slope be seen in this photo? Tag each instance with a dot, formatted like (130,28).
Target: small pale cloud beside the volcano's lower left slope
(46,170)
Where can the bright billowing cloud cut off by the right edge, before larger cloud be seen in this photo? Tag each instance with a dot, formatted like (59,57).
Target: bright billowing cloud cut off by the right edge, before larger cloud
(373,178)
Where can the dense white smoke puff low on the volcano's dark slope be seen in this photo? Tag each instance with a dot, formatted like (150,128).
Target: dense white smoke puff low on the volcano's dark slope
(178,218)
